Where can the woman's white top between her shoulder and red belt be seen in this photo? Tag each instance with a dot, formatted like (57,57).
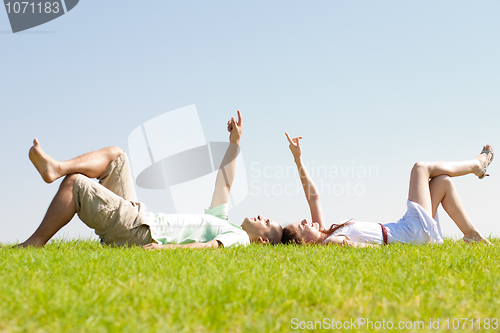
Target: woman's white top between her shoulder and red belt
(360,232)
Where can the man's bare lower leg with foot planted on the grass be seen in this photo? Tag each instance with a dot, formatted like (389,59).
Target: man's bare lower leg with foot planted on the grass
(60,212)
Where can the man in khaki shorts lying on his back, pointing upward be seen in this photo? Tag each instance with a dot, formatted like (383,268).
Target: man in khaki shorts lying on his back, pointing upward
(112,210)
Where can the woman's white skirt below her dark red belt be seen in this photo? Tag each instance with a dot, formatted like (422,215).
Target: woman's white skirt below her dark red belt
(416,226)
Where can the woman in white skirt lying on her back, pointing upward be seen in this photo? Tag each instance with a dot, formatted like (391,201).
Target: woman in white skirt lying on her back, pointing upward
(430,185)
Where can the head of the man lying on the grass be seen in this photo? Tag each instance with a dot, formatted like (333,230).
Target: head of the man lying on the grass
(262,230)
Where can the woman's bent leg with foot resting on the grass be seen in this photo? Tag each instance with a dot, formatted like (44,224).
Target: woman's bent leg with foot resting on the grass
(443,192)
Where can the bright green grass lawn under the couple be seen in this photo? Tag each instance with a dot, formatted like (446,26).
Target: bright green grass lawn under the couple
(80,286)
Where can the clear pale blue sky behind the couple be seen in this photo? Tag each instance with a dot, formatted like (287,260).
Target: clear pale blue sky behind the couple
(381,84)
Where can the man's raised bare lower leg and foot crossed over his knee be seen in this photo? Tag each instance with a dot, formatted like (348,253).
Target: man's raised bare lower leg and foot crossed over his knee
(91,164)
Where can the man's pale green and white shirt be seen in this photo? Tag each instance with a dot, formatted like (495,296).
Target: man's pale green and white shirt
(197,228)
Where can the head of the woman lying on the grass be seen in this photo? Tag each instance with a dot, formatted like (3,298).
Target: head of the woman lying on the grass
(303,232)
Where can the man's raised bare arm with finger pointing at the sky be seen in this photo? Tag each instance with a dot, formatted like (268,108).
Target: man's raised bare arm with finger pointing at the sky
(227,169)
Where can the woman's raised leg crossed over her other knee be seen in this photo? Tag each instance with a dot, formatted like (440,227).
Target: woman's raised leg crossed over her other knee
(419,191)
